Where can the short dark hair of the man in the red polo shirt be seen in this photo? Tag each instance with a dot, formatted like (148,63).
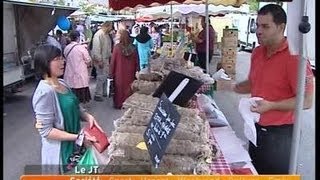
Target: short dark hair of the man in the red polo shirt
(277,12)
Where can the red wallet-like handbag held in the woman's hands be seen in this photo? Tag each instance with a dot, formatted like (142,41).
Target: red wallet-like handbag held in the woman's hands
(102,139)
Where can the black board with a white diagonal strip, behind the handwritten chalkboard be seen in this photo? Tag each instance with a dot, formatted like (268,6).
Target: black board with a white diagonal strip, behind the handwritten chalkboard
(172,81)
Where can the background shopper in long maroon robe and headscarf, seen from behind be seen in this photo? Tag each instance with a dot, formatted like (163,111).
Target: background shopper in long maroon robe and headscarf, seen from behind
(124,65)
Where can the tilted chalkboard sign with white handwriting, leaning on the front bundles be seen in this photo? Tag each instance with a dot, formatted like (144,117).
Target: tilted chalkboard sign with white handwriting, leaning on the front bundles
(160,129)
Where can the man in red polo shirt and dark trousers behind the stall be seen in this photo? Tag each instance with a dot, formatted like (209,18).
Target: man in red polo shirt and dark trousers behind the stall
(273,76)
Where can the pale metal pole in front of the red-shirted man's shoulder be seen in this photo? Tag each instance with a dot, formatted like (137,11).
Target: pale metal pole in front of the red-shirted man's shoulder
(293,168)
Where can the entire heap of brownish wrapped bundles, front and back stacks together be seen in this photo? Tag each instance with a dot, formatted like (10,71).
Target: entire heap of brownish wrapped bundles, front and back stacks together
(190,150)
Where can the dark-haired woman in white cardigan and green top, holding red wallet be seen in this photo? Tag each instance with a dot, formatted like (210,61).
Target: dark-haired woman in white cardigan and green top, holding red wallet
(57,111)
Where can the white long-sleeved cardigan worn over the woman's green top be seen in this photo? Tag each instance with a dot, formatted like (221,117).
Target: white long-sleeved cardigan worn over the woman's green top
(47,109)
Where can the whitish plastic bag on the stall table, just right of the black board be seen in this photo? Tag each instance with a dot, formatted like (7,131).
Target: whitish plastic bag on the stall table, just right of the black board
(213,114)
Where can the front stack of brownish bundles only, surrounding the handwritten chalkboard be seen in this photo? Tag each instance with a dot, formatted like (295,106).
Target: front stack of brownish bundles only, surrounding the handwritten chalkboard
(189,151)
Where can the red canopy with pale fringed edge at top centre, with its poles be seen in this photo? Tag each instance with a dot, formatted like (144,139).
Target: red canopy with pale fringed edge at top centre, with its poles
(122,4)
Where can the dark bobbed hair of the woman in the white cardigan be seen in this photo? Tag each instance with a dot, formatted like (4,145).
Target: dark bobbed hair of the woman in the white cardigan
(43,55)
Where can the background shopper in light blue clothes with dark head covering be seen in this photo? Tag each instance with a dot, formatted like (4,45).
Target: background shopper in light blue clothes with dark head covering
(144,44)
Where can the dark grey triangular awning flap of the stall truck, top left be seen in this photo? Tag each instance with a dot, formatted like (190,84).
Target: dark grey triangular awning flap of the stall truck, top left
(35,20)
